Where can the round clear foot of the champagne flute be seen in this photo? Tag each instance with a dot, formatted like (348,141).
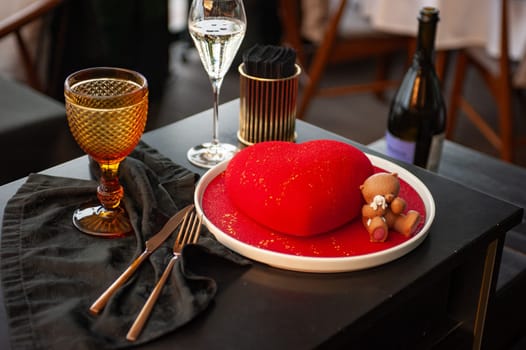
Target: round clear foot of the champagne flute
(208,155)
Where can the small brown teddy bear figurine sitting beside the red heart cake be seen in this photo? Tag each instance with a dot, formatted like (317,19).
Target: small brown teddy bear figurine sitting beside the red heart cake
(384,209)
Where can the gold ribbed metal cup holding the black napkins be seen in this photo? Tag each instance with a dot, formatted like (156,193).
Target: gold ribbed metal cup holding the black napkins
(267,108)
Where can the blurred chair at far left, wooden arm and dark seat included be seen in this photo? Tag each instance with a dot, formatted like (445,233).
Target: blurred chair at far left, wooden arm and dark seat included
(34,134)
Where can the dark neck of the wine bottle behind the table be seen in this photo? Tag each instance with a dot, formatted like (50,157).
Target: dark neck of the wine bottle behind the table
(425,44)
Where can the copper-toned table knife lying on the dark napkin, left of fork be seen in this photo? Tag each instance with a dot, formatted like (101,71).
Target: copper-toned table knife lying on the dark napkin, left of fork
(151,245)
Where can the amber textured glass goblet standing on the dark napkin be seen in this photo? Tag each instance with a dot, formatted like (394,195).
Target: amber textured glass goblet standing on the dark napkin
(106,110)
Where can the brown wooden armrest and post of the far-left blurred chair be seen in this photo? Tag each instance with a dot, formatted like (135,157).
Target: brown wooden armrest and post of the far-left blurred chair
(16,24)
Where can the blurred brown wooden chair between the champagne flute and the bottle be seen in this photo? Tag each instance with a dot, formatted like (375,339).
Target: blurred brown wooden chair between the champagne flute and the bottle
(336,48)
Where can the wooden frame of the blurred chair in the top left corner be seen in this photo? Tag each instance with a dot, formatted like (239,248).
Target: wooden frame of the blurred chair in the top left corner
(14,25)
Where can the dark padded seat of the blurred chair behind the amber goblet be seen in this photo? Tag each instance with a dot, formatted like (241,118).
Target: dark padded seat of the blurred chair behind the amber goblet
(34,134)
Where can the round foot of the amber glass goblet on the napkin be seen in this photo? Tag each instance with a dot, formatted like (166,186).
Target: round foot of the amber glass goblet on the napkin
(101,222)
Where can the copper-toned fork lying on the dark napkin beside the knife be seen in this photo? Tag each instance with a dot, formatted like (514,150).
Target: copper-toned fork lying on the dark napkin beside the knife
(188,233)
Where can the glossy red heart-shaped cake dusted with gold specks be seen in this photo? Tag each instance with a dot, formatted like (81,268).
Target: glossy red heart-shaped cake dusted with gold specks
(299,189)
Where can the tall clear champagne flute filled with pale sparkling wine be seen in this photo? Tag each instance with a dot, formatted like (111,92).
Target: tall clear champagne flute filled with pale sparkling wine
(217,28)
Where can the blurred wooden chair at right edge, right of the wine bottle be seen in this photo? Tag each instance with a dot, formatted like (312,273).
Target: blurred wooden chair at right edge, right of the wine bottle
(497,74)
